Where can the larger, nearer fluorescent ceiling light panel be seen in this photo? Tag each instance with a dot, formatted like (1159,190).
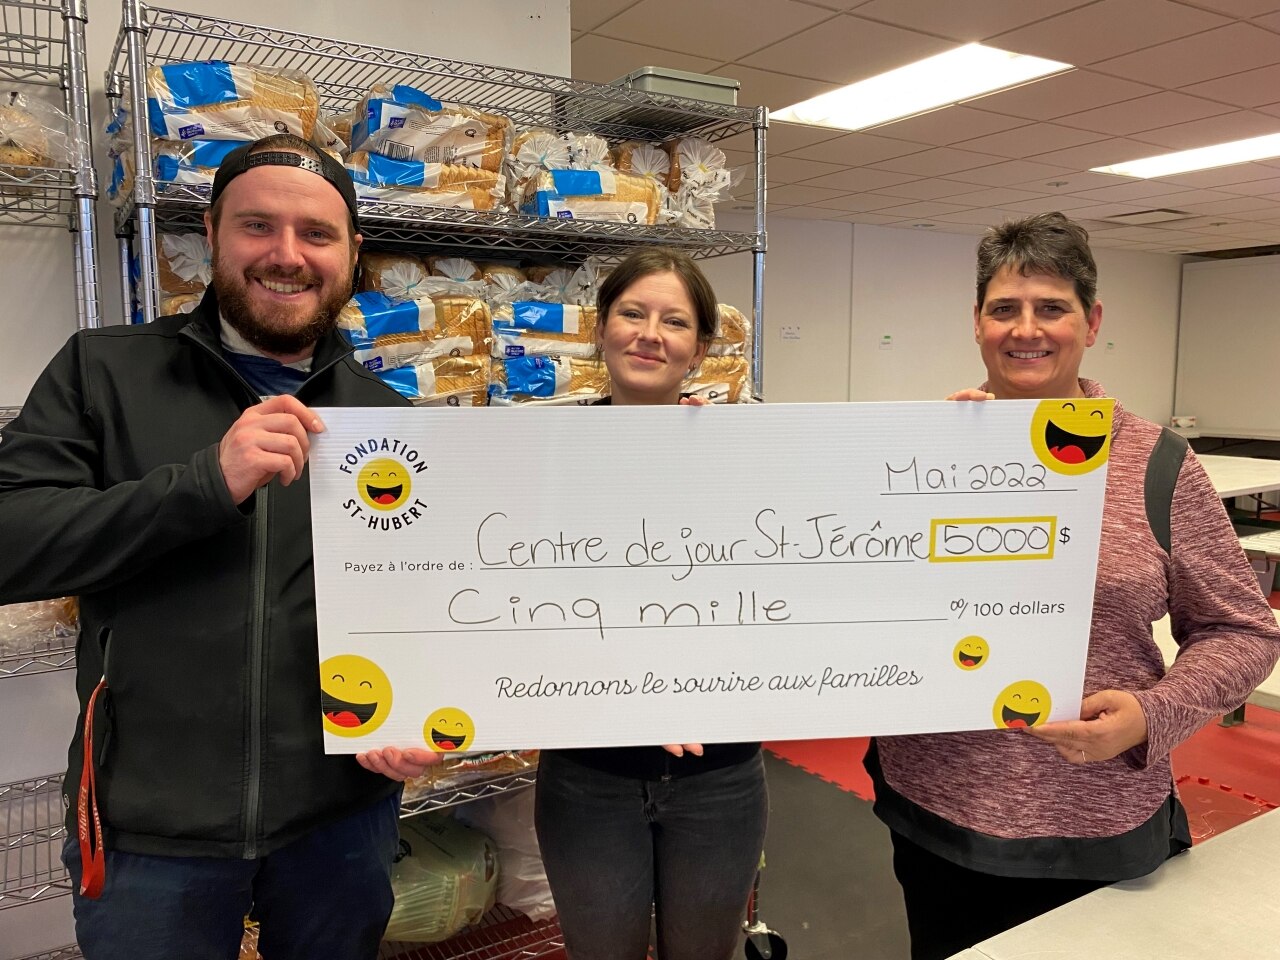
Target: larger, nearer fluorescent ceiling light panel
(964,74)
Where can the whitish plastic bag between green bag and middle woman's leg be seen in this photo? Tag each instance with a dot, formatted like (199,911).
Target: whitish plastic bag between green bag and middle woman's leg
(509,821)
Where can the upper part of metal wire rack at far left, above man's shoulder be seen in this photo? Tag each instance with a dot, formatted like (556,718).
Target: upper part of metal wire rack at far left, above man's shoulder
(43,45)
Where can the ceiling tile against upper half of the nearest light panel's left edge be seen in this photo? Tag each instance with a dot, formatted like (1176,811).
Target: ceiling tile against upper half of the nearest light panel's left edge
(847,49)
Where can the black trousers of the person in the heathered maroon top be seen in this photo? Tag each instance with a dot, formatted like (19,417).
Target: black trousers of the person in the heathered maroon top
(952,908)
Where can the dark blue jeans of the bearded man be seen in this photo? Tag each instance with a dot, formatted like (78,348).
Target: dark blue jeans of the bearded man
(326,895)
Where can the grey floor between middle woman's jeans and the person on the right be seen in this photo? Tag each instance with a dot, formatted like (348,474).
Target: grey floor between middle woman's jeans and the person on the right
(829,888)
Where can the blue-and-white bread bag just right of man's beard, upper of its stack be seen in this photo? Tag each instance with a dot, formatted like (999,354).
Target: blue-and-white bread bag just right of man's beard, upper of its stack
(388,333)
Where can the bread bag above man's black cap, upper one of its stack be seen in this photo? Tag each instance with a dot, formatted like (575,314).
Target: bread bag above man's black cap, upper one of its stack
(220,100)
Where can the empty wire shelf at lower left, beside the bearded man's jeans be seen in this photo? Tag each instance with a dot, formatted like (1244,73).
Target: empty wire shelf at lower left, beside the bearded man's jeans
(31,819)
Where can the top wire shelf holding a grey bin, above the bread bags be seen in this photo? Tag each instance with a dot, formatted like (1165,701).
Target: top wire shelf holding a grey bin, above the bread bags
(345,71)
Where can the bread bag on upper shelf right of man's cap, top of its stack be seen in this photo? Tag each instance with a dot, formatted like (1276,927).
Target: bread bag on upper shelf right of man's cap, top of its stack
(404,124)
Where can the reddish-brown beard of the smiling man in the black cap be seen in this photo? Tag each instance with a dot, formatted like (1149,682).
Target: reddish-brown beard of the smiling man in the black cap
(277,331)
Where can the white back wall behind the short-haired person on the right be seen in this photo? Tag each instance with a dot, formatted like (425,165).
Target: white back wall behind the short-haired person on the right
(849,286)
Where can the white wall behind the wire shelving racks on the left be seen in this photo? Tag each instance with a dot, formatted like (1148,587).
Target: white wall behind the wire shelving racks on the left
(36,272)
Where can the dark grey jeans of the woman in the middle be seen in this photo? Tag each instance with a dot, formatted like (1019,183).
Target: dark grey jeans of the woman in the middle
(619,849)
